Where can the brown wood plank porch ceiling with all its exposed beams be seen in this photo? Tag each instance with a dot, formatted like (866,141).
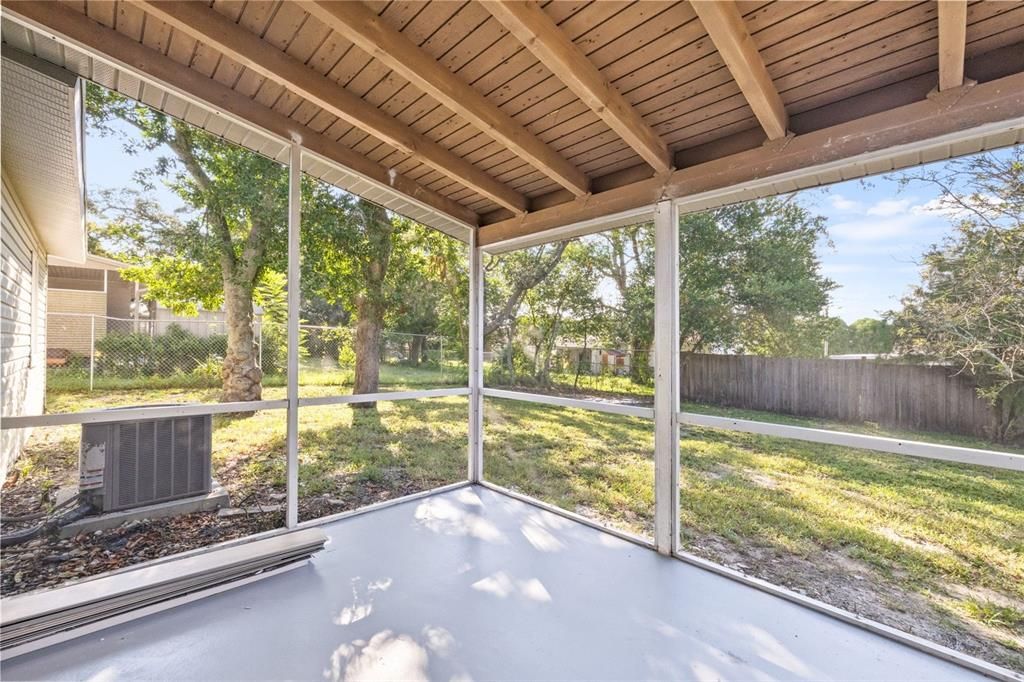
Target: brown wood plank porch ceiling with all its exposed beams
(494,114)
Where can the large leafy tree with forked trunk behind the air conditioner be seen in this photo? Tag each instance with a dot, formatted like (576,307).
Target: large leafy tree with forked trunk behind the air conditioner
(215,257)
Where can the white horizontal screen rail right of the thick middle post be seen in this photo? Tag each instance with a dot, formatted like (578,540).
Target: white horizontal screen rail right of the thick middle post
(988,458)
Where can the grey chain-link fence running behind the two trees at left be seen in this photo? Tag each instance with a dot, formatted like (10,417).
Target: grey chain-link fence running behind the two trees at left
(97,353)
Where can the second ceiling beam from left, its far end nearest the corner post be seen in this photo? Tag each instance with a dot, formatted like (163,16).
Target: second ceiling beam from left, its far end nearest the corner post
(220,33)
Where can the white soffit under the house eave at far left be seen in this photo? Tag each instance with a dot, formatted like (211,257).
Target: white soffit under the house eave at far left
(42,155)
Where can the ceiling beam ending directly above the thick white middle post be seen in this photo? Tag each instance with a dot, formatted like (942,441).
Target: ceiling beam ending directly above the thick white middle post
(532,27)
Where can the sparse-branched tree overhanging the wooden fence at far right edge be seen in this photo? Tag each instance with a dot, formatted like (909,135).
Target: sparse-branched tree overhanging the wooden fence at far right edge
(969,308)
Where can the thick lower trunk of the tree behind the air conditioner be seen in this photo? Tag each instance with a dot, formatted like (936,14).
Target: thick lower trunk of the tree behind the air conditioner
(241,374)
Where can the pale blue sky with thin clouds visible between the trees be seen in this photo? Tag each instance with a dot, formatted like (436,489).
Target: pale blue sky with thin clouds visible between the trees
(879,231)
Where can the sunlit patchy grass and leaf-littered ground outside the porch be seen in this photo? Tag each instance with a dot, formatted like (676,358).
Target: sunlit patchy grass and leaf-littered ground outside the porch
(928,547)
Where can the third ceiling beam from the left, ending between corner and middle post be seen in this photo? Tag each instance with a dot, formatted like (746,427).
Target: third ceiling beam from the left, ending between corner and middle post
(372,34)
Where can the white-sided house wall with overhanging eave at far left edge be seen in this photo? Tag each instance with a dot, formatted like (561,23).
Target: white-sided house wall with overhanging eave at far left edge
(44,211)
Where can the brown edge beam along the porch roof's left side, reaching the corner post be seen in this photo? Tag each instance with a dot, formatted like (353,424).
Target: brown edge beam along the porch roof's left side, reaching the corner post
(79,30)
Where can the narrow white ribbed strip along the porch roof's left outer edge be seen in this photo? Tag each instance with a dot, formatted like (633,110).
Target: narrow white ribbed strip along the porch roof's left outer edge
(201,115)
